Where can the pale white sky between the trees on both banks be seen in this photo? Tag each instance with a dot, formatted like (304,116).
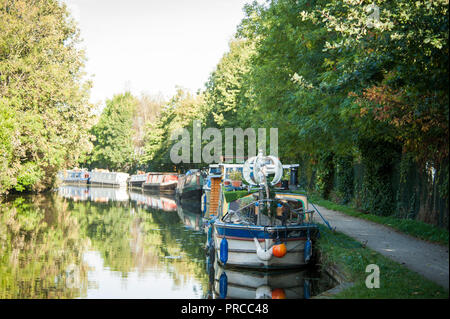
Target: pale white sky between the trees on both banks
(149,46)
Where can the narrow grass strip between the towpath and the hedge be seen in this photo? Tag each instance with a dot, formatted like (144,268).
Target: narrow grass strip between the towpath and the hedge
(411,227)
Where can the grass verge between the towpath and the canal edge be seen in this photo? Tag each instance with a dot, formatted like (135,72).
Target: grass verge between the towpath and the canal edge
(351,258)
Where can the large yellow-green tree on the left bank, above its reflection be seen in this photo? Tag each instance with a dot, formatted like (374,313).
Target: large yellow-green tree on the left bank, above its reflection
(44,108)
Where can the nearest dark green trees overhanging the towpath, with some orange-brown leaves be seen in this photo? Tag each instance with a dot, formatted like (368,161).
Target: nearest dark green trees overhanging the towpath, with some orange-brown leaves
(335,81)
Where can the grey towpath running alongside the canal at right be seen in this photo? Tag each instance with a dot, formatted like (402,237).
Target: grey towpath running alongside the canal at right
(427,259)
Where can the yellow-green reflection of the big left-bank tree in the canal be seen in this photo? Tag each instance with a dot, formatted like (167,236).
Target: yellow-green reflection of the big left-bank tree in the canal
(41,245)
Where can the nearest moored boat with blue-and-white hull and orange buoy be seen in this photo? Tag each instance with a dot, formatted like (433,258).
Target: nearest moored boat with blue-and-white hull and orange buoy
(265,229)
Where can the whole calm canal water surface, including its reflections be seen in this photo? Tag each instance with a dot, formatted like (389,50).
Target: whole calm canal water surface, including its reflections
(81,242)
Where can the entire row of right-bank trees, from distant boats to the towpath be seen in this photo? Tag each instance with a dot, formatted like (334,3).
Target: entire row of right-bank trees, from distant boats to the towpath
(342,88)
